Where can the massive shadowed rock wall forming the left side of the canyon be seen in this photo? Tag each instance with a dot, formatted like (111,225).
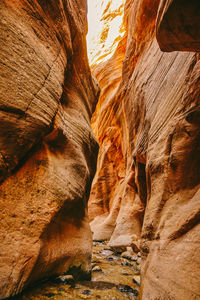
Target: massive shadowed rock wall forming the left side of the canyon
(47,150)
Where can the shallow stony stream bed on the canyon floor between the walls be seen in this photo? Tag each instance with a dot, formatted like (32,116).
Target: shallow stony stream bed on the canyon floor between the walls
(115,276)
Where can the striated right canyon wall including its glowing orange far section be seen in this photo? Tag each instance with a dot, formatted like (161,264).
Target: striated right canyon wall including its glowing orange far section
(146,188)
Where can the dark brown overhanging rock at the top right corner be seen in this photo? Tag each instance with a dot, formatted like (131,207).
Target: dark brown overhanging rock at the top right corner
(178,25)
